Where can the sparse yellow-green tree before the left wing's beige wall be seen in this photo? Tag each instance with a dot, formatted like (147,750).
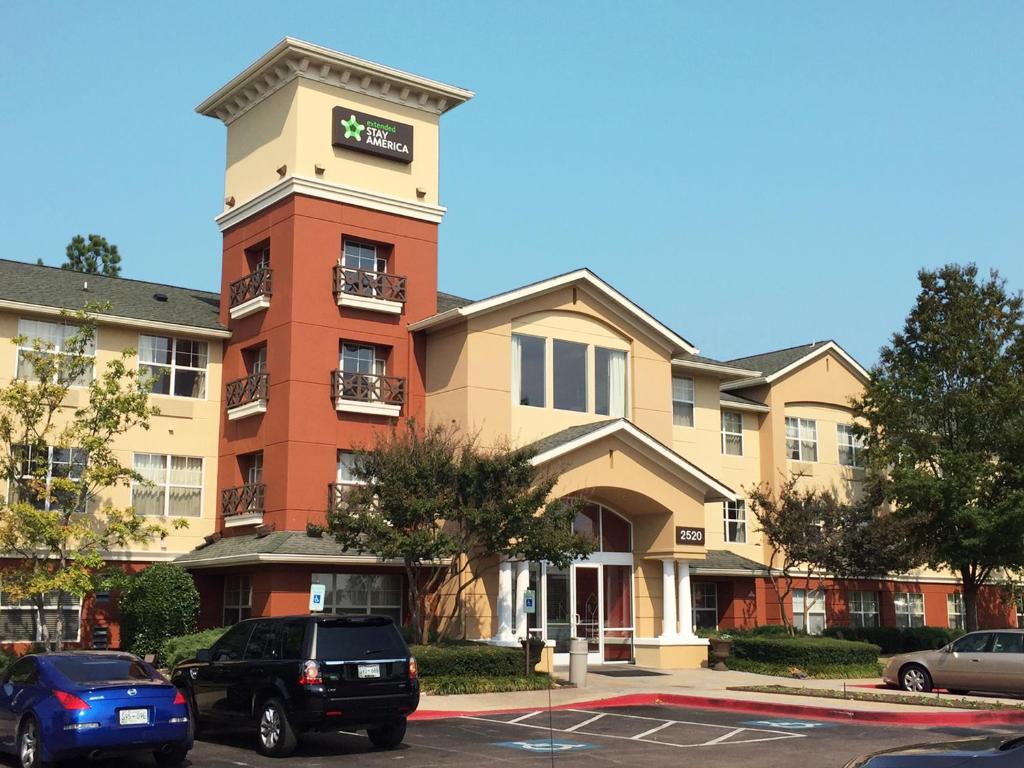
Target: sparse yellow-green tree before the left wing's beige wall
(58,461)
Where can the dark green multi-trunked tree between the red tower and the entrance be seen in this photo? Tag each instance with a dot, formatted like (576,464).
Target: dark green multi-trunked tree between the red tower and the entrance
(448,509)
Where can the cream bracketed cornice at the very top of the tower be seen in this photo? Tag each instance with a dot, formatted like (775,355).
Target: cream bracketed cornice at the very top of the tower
(292,59)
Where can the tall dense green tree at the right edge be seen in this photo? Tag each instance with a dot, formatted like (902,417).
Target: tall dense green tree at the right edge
(945,416)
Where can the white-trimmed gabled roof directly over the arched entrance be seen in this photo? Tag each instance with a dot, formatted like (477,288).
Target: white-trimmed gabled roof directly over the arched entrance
(568,441)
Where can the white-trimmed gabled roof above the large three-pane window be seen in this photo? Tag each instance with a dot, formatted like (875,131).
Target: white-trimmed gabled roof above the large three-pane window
(677,344)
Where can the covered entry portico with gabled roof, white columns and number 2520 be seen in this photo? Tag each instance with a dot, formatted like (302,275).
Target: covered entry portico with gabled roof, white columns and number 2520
(631,599)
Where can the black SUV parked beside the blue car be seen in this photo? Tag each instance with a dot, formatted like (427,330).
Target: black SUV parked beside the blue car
(292,674)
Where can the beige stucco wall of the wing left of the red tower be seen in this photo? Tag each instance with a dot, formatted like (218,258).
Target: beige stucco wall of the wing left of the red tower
(186,428)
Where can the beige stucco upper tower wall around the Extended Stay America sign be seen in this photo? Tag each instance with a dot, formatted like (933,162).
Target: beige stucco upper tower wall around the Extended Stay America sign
(292,129)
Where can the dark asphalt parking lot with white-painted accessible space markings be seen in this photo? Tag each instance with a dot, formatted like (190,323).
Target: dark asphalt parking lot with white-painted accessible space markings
(653,737)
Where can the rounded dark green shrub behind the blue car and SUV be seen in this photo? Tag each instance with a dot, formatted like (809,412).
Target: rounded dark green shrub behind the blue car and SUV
(159,604)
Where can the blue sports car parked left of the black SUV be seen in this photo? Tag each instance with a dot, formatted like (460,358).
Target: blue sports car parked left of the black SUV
(91,705)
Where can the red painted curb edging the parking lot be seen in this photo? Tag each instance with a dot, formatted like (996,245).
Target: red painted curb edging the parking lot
(985,717)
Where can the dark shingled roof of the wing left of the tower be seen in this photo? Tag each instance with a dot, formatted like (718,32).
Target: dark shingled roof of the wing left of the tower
(49,286)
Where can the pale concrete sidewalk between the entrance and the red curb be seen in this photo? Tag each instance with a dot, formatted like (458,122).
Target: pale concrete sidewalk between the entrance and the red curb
(617,682)
